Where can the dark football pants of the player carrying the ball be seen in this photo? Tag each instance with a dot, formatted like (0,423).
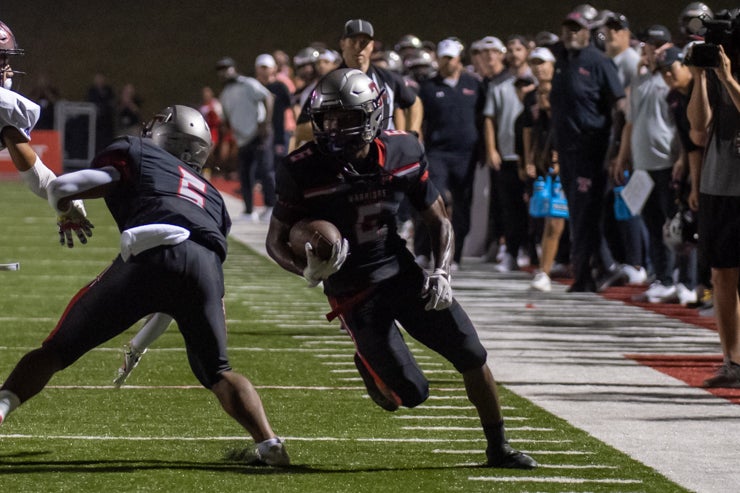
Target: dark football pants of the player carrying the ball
(372,325)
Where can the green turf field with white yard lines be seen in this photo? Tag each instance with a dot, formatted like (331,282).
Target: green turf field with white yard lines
(164,433)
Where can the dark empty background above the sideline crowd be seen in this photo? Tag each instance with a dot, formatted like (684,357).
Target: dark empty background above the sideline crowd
(167,48)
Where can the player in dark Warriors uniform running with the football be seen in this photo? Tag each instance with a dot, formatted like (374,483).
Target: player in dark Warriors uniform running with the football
(355,175)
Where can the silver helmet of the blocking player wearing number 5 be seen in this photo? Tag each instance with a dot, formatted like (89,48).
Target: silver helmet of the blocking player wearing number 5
(183,132)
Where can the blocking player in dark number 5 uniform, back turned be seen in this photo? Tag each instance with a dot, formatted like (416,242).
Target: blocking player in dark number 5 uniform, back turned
(173,227)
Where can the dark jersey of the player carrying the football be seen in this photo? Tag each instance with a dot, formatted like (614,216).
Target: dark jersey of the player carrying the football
(362,205)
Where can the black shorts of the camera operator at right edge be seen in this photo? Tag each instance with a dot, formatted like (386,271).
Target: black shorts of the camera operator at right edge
(719,230)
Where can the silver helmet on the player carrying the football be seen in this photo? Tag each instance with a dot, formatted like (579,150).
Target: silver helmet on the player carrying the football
(360,103)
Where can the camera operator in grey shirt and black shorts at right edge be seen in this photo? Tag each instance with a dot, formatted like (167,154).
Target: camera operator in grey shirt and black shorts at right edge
(714,115)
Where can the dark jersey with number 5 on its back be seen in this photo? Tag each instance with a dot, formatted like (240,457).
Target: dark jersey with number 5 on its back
(156,187)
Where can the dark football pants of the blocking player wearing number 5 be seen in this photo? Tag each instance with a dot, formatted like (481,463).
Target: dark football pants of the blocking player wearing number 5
(185,281)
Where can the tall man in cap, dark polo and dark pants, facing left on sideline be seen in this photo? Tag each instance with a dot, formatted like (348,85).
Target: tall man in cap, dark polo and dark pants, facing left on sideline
(585,90)
